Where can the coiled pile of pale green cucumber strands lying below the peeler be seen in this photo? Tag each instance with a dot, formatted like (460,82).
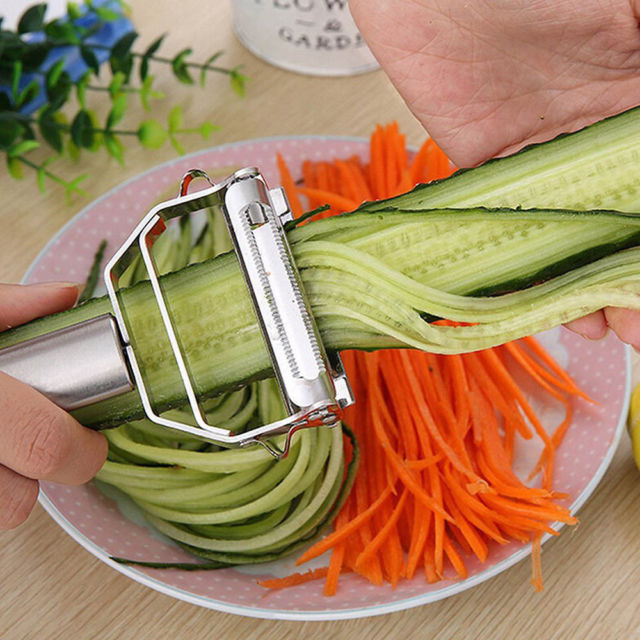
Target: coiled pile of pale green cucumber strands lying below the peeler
(245,507)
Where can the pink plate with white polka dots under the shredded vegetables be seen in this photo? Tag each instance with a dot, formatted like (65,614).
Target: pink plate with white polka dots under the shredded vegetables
(109,527)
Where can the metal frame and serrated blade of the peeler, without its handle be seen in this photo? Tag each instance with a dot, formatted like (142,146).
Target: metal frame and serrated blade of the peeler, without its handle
(313,385)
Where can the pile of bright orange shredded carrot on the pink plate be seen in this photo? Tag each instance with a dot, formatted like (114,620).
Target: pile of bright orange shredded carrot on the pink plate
(436,483)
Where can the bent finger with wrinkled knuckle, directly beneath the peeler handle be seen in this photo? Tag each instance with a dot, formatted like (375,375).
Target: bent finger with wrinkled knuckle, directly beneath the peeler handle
(41,441)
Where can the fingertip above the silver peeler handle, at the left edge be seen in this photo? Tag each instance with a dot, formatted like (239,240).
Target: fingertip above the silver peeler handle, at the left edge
(20,303)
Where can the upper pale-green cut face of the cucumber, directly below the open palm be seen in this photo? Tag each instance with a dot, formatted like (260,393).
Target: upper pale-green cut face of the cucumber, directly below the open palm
(594,168)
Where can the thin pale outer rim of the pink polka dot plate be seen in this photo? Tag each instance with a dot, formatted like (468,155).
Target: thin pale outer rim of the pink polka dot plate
(321,614)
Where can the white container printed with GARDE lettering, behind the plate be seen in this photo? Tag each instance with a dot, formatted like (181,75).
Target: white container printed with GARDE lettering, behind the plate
(317,37)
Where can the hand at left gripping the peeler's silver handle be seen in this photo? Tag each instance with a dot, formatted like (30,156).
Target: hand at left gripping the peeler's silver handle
(39,441)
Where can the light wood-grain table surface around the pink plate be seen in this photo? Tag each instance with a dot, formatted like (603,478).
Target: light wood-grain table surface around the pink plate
(52,588)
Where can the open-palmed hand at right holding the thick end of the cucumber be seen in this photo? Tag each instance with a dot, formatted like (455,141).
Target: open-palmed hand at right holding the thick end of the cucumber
(488,77)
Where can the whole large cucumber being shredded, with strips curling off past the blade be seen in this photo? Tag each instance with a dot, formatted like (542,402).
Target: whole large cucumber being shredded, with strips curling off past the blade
(376,277)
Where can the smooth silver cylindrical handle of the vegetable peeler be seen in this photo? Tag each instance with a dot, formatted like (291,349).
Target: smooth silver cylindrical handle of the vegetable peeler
(75,366)
